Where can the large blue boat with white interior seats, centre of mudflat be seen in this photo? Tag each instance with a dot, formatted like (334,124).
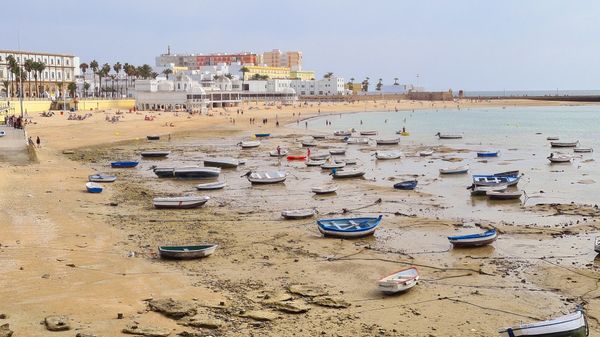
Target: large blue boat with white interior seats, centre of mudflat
(349,227)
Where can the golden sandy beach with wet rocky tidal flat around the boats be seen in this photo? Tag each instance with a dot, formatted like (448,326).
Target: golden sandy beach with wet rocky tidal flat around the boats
(92,257)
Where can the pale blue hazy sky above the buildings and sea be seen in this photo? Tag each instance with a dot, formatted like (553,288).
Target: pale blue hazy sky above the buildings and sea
(459,44)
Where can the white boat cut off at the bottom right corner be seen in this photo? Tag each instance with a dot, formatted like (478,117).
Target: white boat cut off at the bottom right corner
(572,325)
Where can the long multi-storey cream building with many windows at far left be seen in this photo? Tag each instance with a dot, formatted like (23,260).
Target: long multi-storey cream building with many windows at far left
(59,69)
